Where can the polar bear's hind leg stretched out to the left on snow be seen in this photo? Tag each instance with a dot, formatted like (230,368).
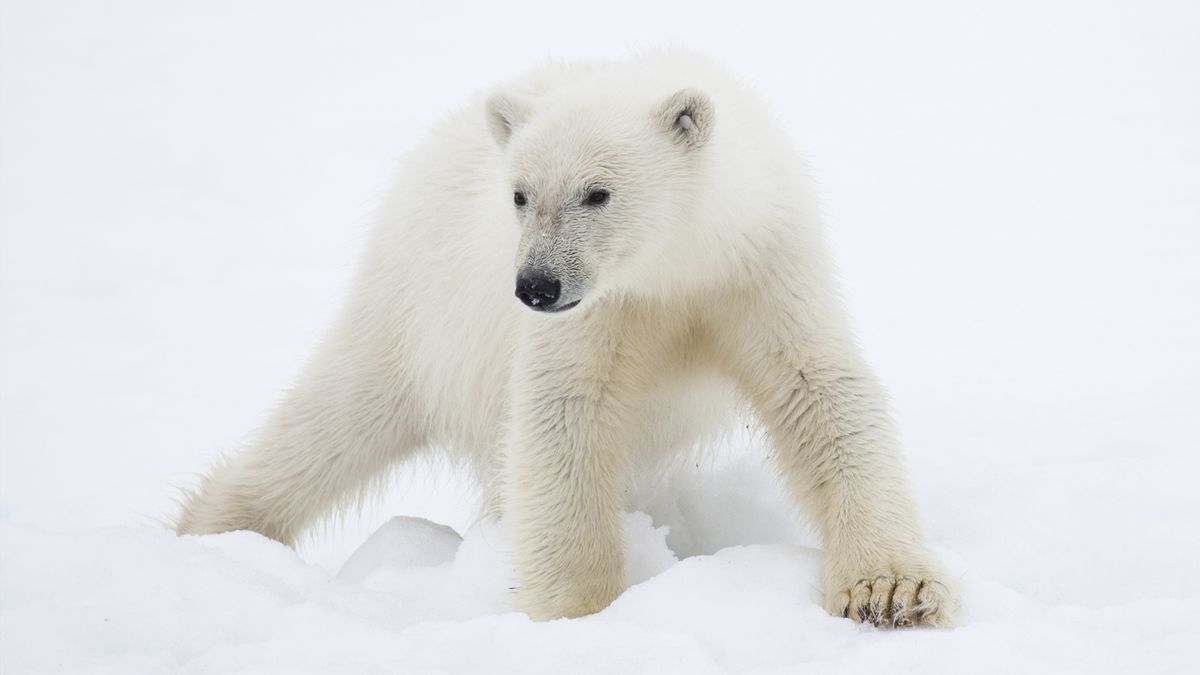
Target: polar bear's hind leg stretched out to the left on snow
(337,433)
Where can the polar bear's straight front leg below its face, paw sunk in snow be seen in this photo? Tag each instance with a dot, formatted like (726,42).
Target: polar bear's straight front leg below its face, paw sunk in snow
(563,464)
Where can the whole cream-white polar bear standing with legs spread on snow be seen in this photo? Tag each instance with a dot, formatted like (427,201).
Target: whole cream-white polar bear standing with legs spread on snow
(658,232)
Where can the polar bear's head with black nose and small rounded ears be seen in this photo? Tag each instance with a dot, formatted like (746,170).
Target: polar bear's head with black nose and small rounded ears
(597,184)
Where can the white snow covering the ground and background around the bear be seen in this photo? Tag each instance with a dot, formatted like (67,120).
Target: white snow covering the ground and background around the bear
(1012,196)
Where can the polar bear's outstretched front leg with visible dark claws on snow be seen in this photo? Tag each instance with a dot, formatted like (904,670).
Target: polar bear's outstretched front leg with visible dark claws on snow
(837,449)
